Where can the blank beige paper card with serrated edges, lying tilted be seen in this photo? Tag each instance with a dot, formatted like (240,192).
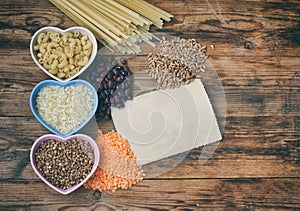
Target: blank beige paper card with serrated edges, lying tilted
(163,123)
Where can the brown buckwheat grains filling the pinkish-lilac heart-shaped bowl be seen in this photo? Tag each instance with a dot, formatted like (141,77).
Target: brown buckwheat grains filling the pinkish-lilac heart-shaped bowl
(64,164)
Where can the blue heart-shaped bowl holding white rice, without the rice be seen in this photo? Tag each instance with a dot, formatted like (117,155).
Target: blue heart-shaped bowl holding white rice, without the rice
(37,89)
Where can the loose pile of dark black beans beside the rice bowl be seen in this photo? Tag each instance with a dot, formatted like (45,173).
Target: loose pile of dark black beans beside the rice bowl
(114,83)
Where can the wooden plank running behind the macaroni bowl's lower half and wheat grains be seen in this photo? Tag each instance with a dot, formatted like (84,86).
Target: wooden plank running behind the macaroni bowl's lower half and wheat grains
(232,71)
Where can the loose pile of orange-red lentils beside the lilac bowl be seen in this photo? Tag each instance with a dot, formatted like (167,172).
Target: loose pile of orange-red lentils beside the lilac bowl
(117,168)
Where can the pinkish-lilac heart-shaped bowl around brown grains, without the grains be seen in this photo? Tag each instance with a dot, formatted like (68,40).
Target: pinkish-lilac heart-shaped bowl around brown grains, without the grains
(81,137)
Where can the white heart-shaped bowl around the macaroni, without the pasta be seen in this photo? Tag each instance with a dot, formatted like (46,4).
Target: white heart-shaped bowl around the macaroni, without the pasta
(81,30)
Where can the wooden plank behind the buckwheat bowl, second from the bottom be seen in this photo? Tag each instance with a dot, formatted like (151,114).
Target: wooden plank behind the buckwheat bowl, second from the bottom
(247,150)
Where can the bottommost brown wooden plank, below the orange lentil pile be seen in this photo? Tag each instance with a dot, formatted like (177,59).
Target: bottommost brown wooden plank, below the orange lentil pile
(227,194)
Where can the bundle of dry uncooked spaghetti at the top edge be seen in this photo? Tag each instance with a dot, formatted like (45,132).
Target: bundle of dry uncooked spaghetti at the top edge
(118,24)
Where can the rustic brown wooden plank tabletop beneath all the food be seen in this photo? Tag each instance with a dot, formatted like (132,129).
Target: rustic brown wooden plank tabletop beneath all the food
(255,166)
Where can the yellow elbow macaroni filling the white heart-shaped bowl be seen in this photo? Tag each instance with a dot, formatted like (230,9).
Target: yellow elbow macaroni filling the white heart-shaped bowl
(63,55)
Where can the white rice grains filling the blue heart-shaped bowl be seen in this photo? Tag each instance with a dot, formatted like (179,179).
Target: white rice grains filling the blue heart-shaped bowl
(65,109)
